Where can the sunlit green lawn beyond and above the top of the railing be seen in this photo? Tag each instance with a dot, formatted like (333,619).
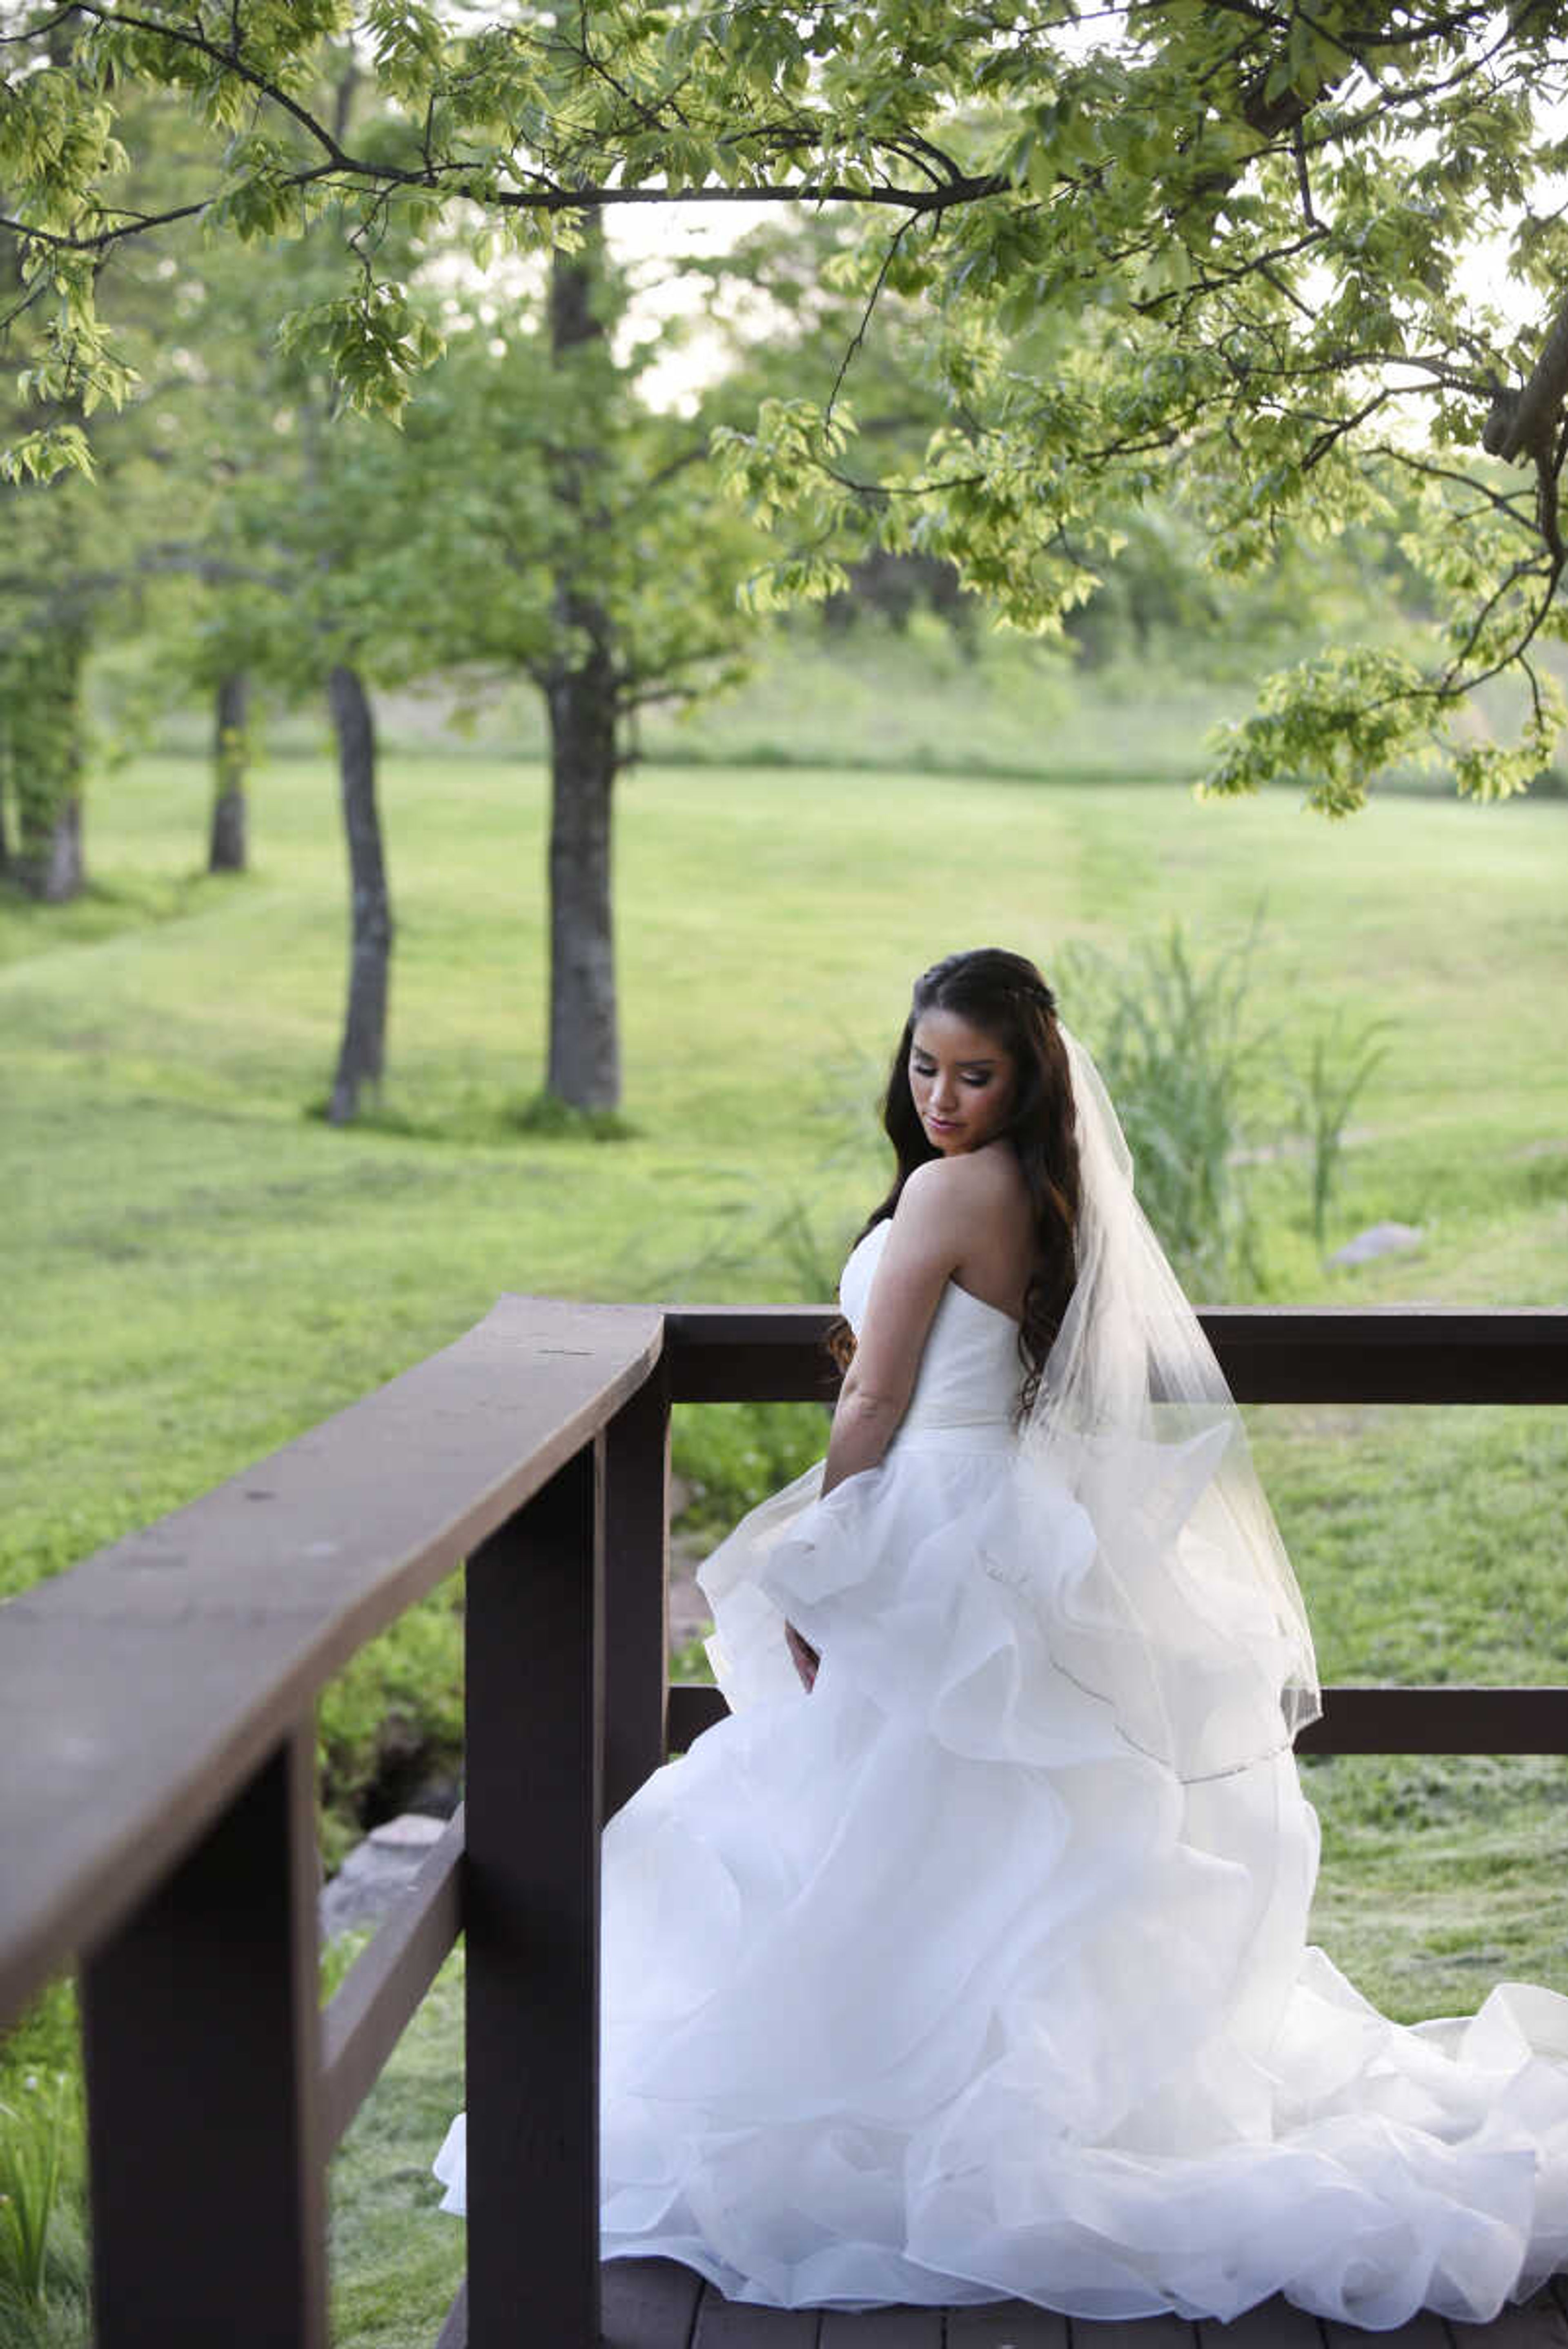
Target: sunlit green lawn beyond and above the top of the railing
(194,1267)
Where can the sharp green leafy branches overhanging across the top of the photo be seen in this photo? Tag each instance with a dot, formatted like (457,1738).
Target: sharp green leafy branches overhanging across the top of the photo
(1301,267)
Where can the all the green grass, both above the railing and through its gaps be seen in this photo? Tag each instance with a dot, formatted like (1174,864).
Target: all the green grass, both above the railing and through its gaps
(196,1270)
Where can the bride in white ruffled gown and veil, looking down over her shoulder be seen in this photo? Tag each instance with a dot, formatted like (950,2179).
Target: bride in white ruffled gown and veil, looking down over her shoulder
(967,1960)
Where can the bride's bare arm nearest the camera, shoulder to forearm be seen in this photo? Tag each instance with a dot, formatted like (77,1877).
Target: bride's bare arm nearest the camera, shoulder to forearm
(918,1258)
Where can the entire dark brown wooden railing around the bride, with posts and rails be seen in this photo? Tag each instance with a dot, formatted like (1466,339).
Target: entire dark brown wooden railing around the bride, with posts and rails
(159,1796)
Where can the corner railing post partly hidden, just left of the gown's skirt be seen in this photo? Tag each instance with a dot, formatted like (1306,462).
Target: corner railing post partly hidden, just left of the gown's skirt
(636,1589)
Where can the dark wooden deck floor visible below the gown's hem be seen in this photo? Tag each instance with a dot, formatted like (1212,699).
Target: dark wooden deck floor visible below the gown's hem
(659,2306)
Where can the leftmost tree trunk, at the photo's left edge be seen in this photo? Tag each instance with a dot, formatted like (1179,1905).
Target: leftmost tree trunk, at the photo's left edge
(46,760)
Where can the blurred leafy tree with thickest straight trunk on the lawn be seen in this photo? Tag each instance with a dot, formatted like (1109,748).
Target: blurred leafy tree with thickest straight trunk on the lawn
(575,537)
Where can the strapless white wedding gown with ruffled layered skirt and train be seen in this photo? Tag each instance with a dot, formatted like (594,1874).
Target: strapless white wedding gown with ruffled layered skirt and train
(934,1988)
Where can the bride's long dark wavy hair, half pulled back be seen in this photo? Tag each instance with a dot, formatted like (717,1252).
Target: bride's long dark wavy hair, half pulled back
(1007,999)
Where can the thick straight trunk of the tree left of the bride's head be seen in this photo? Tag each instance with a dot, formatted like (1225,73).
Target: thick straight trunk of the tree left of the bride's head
(582,696)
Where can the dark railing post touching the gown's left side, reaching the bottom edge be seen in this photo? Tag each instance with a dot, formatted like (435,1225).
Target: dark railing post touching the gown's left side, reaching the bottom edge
(535,1636)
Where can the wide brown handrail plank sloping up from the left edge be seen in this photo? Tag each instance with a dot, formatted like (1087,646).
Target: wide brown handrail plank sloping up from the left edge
(147,1685)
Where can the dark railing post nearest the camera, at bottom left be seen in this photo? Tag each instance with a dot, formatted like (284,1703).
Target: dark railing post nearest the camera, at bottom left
(201,2033)
